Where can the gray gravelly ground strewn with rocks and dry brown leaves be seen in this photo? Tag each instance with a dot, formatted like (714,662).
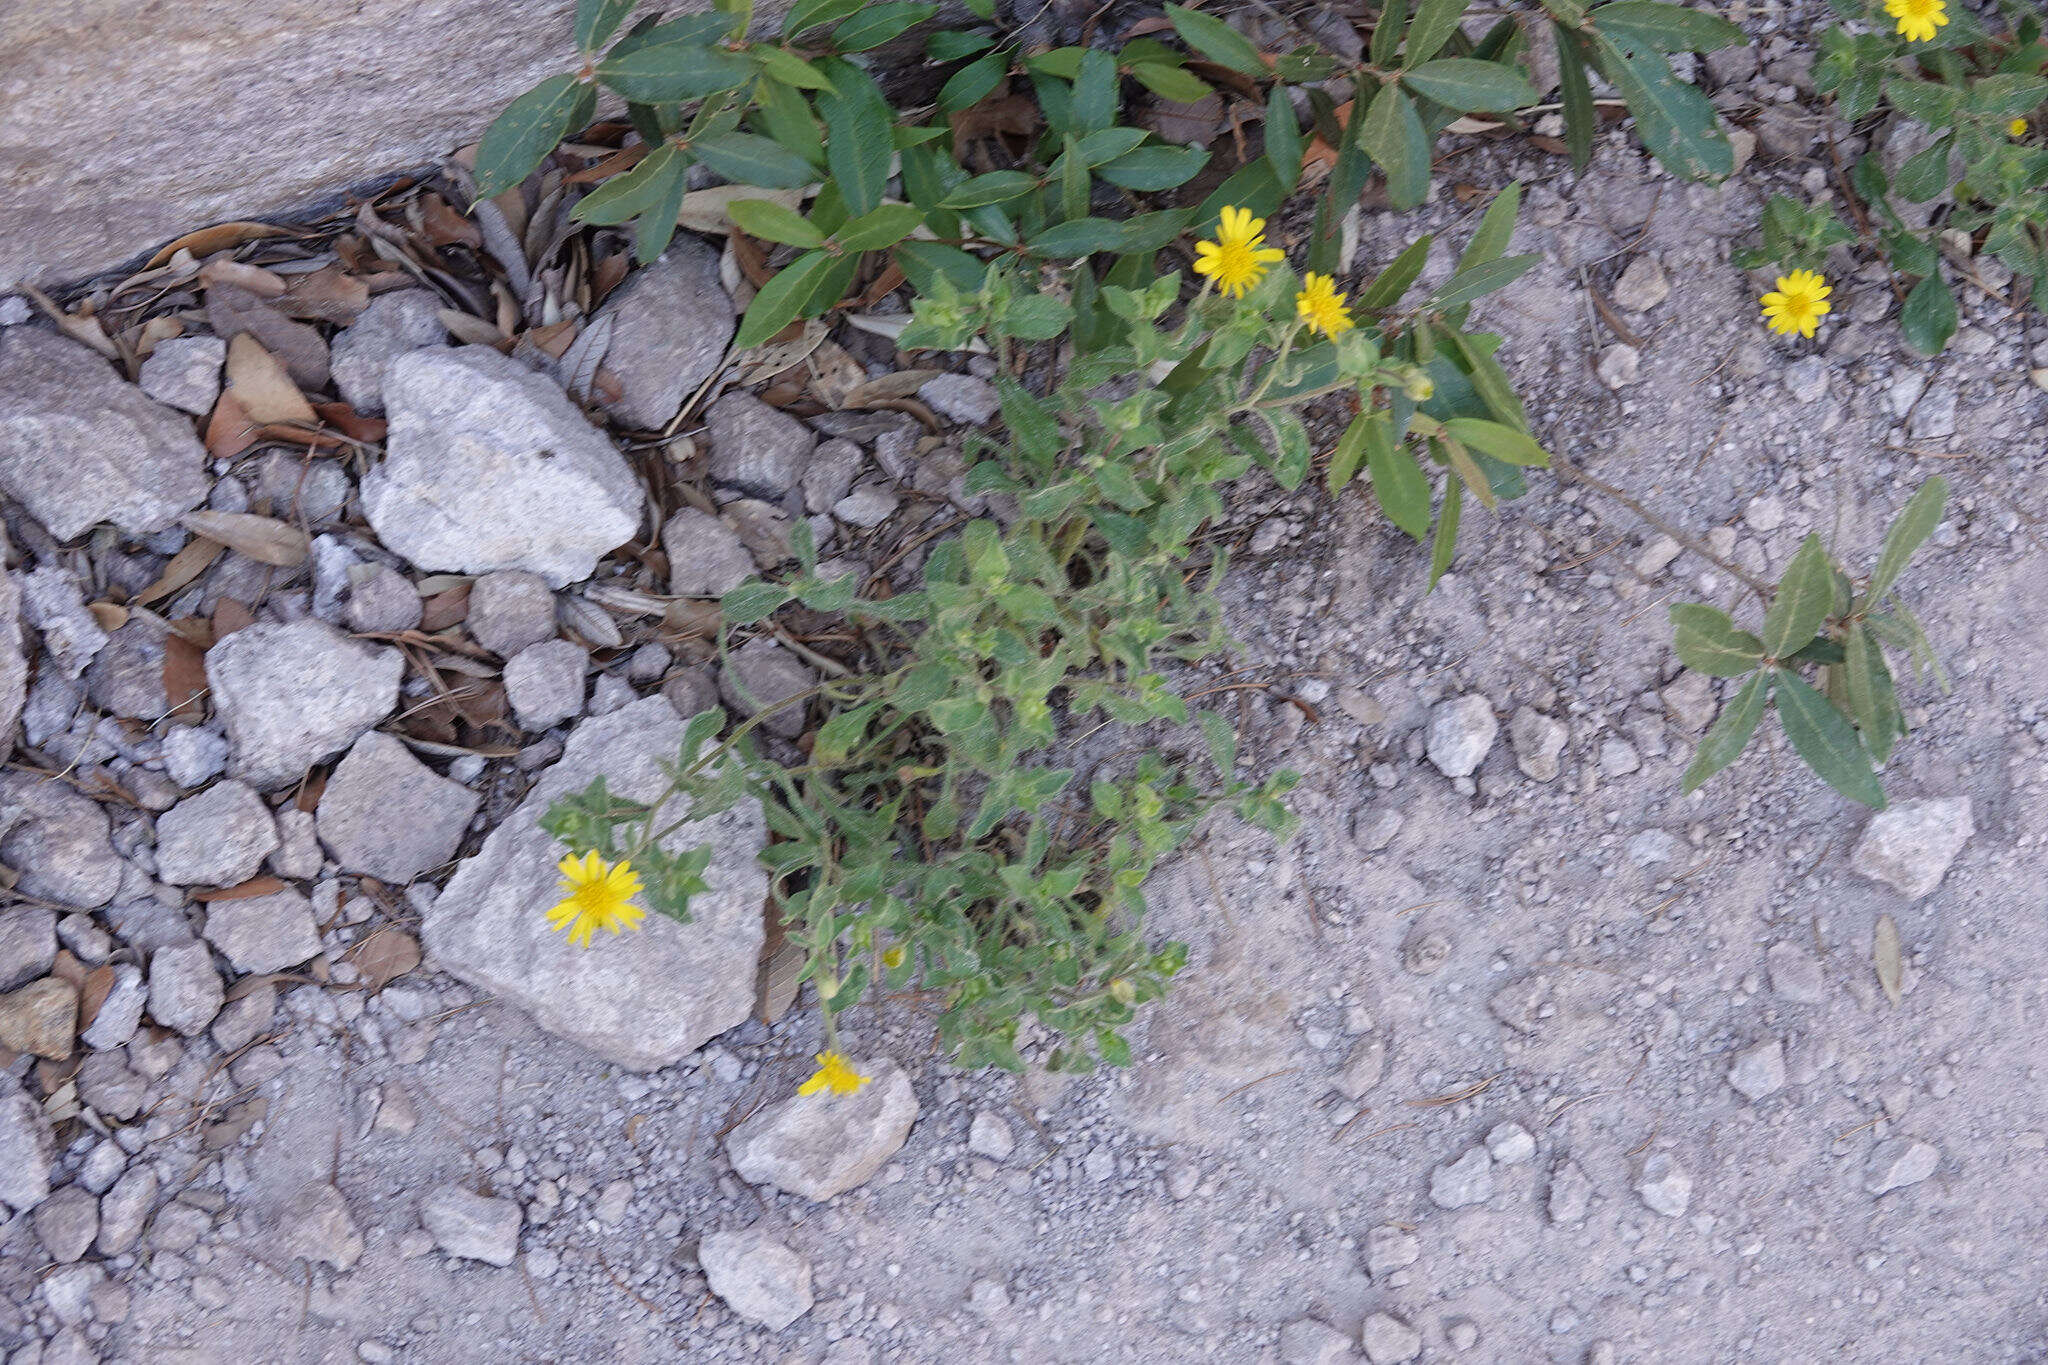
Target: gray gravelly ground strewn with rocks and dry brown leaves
(1514,1055)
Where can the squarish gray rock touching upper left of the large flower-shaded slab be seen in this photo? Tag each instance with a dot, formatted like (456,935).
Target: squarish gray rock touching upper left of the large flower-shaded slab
(392,816)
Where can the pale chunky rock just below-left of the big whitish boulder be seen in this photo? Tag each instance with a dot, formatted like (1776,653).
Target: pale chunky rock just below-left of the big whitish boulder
(294,695)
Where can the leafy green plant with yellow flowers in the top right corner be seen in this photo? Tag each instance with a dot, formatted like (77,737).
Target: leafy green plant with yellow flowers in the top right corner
(1977,95)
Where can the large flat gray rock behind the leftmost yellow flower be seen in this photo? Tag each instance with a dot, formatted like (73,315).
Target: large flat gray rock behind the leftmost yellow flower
(642,1000)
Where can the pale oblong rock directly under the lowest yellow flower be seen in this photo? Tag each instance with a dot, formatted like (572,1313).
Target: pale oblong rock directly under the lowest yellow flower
(824,1145)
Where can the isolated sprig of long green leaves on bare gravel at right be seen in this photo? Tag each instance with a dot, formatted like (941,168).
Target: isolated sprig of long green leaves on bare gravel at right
(1820,617)
